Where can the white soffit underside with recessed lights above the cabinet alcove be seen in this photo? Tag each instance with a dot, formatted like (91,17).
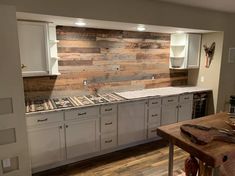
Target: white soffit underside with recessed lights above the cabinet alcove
(66,21)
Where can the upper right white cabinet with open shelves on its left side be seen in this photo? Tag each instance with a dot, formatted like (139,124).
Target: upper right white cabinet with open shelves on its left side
(185,51)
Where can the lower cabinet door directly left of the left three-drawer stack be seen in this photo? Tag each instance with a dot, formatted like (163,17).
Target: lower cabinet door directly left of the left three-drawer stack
(82,137)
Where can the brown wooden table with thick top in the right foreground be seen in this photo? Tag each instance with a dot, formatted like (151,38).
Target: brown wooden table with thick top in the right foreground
(213,154)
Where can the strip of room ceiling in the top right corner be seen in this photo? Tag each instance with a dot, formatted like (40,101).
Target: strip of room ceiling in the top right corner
(219,5)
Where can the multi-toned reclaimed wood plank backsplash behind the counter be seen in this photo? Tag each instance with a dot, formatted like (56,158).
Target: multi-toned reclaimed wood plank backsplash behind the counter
(109,60)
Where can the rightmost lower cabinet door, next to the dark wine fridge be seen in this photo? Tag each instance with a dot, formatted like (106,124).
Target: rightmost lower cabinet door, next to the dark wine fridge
(185,111)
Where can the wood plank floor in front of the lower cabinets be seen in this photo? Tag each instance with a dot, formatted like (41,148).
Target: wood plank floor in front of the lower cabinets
(144,160)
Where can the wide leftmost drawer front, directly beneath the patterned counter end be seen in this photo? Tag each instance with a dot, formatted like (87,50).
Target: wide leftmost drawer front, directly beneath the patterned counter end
(38,119)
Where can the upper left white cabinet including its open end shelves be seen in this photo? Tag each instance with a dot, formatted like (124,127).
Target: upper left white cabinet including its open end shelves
(38,48)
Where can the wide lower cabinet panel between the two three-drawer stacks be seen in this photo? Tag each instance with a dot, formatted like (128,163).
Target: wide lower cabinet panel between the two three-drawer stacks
(132,122)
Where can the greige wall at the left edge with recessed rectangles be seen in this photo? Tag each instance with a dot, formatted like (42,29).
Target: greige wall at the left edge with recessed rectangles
(12,113)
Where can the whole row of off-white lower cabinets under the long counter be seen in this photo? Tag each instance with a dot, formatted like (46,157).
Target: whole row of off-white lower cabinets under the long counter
(57,136)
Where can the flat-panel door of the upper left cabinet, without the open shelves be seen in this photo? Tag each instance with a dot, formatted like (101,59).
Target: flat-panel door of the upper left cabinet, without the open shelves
(33,37)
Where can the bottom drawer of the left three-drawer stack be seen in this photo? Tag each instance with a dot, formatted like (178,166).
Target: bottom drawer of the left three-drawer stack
(108,141)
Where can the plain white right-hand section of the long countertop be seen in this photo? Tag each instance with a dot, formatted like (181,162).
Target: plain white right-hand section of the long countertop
(164,91)
